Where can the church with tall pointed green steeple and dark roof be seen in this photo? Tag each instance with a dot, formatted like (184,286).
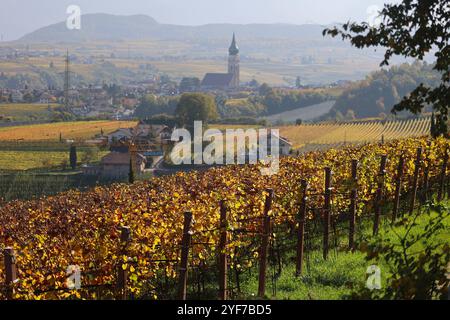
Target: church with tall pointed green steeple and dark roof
(225,81)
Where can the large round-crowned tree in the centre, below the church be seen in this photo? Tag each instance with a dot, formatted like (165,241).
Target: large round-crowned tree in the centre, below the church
(195,107)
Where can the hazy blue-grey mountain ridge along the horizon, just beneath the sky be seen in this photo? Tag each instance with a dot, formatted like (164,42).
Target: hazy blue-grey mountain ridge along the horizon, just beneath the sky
(113,27)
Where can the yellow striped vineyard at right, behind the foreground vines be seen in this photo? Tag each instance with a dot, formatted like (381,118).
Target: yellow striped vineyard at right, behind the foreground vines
(355,132)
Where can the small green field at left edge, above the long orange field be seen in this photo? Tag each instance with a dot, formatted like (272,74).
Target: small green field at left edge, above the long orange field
(26,112)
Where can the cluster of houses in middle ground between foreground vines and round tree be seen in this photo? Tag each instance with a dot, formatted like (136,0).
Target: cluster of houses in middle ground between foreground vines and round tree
(146,147)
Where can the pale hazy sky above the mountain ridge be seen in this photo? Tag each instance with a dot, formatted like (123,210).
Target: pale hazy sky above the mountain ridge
(18,17)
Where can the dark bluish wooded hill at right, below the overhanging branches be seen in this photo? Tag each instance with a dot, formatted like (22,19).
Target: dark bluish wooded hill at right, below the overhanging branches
(380,91)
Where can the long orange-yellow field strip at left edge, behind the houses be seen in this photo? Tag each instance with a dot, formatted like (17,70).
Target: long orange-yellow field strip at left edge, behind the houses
(68,130)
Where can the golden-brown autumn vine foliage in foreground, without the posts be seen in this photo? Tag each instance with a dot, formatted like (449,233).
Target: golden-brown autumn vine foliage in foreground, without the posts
(84,228)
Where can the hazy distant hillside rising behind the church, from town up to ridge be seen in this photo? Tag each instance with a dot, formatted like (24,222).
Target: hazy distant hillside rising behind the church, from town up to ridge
(111,48)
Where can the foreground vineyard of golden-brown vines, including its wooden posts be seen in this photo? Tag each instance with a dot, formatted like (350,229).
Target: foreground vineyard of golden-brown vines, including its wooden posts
(149,239)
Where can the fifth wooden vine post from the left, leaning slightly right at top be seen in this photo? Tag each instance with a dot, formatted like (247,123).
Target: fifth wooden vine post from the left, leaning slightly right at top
(264,244)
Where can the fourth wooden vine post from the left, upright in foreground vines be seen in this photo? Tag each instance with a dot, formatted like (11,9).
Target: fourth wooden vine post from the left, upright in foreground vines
(223,263)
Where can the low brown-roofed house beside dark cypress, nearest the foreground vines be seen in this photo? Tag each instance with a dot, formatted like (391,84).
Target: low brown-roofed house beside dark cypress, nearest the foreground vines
(117,165)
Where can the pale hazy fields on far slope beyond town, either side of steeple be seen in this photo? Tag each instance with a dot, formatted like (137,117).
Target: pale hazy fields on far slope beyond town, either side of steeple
(195,58)
